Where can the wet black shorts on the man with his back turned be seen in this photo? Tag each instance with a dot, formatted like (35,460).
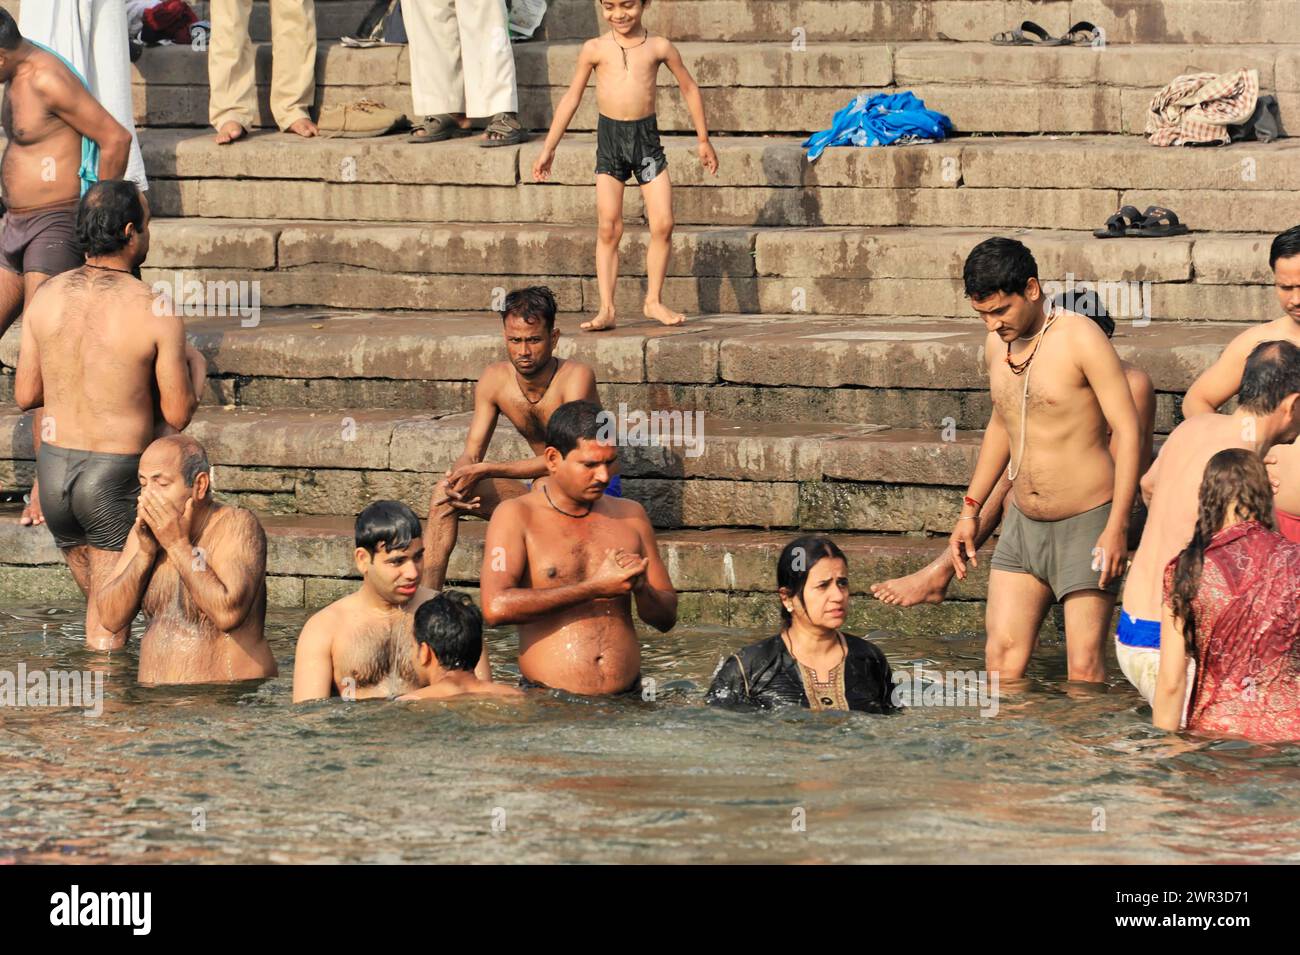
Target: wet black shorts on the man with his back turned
(89,497)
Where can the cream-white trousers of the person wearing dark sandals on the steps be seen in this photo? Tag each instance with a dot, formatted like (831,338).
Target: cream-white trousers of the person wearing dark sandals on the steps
(461,58)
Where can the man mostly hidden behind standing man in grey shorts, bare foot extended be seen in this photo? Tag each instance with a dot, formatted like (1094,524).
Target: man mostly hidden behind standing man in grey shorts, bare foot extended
(930,584)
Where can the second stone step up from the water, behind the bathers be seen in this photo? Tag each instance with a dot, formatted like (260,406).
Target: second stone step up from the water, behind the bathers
(707,472)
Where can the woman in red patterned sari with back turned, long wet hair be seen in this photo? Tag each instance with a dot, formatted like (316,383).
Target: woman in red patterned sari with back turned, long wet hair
(1233,604)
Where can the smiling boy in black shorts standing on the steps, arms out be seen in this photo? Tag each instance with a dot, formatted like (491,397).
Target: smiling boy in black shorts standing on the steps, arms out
(627,63)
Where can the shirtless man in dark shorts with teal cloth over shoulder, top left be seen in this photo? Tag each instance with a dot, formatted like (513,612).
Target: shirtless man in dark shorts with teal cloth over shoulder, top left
(47,115)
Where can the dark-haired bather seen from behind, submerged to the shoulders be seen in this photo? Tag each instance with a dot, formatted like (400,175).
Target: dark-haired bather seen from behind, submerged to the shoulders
(449,641)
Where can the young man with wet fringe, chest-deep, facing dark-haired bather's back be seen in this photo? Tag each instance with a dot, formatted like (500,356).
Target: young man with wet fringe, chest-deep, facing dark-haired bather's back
(361,646)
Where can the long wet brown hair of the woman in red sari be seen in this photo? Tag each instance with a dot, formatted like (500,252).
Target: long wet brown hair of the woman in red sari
(1233,479)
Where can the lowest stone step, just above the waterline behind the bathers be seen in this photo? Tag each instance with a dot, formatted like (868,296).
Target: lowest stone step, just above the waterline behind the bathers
(723,578)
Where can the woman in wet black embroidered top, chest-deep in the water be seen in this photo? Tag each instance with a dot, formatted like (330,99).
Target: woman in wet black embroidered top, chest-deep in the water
(811,663)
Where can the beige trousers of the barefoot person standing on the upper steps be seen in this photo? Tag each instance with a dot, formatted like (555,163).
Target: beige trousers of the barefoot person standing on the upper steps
(231,63)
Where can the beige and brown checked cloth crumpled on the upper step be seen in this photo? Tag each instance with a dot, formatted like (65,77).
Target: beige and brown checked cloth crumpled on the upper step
(1199,107)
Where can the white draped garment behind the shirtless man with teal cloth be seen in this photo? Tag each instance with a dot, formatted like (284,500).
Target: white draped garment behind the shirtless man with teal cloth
(92,36)
